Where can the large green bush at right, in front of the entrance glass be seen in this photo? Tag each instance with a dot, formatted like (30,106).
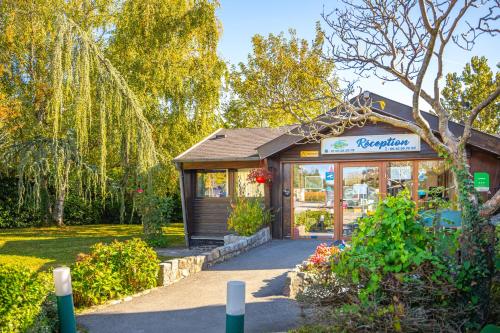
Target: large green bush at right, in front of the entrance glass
(395,277)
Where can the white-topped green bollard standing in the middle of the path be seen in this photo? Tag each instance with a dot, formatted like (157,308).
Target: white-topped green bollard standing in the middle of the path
(235,307)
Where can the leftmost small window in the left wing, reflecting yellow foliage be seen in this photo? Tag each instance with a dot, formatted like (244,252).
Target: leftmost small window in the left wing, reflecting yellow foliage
(211,184)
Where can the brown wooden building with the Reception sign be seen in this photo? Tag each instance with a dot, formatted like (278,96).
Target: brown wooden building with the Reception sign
(321,189)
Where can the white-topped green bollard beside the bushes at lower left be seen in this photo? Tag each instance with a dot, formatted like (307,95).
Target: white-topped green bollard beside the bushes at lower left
(64,295)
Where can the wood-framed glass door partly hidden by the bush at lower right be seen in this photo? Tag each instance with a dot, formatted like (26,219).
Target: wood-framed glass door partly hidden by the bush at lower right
(360,189)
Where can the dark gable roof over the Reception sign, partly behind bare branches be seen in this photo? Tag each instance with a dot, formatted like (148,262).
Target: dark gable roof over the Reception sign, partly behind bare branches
(485,141)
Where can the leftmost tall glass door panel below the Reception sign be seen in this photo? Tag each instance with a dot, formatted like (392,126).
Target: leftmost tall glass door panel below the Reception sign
(313,200)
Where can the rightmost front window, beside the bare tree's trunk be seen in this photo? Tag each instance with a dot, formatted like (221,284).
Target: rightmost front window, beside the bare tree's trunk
(434,181)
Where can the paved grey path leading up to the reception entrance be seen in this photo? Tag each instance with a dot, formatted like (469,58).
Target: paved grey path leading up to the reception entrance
(197,304)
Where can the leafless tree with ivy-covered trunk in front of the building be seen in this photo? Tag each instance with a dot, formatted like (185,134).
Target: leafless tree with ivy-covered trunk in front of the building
(405,41)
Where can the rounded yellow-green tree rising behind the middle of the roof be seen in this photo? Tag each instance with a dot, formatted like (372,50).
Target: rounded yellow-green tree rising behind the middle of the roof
(284,78)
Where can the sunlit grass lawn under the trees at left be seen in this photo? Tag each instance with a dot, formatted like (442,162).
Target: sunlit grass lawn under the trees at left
(42,248)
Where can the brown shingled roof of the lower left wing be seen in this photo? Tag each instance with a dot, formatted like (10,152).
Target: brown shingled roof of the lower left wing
(237,144)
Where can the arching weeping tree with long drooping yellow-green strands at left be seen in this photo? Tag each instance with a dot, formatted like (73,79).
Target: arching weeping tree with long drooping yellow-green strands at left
(94,118)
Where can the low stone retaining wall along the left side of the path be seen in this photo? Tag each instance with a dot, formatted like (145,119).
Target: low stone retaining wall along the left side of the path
(174,270)
